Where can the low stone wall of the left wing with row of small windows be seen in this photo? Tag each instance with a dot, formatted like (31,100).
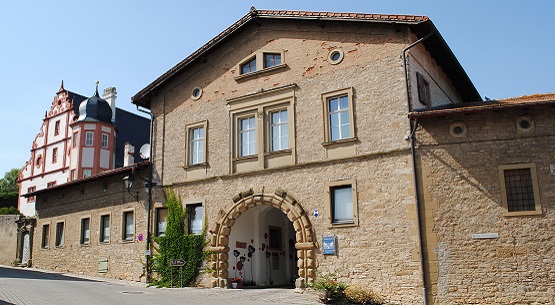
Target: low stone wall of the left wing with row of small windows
(90,199)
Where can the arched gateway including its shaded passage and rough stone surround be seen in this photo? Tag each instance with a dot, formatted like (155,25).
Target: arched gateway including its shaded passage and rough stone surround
(299,225)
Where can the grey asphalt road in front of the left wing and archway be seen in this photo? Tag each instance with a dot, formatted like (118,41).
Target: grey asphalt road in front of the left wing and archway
(30,286)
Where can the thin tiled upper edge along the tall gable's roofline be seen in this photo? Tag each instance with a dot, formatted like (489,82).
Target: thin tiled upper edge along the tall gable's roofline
(253,14)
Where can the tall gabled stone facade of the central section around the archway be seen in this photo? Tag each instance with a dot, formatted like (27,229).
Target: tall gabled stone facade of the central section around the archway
(381,247)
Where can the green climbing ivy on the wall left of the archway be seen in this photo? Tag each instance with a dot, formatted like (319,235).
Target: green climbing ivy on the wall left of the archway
(176,244)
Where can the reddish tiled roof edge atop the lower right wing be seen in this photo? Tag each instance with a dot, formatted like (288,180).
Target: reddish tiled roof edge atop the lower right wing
(491,105)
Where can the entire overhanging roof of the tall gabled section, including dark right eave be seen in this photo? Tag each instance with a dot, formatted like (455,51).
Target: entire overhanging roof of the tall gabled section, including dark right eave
(420,25)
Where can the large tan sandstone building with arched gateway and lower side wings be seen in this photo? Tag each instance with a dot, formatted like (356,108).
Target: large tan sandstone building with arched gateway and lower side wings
(313,143)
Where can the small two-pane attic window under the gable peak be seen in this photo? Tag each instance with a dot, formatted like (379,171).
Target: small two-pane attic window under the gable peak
(262,61)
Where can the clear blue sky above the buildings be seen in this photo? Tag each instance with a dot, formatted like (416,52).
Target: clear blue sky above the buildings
(504,46)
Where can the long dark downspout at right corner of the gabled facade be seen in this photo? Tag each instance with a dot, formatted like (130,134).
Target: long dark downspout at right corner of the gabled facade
(414,171)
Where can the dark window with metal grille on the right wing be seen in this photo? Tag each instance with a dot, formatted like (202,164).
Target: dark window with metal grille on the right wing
(520,190)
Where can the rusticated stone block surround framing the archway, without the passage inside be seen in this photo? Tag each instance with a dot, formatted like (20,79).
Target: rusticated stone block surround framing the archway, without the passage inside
(219,244)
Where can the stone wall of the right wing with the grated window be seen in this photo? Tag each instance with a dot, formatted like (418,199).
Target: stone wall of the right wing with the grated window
(476,253)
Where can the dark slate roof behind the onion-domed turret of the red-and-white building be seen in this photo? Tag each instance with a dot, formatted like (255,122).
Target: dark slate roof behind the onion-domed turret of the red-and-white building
(130,128)
